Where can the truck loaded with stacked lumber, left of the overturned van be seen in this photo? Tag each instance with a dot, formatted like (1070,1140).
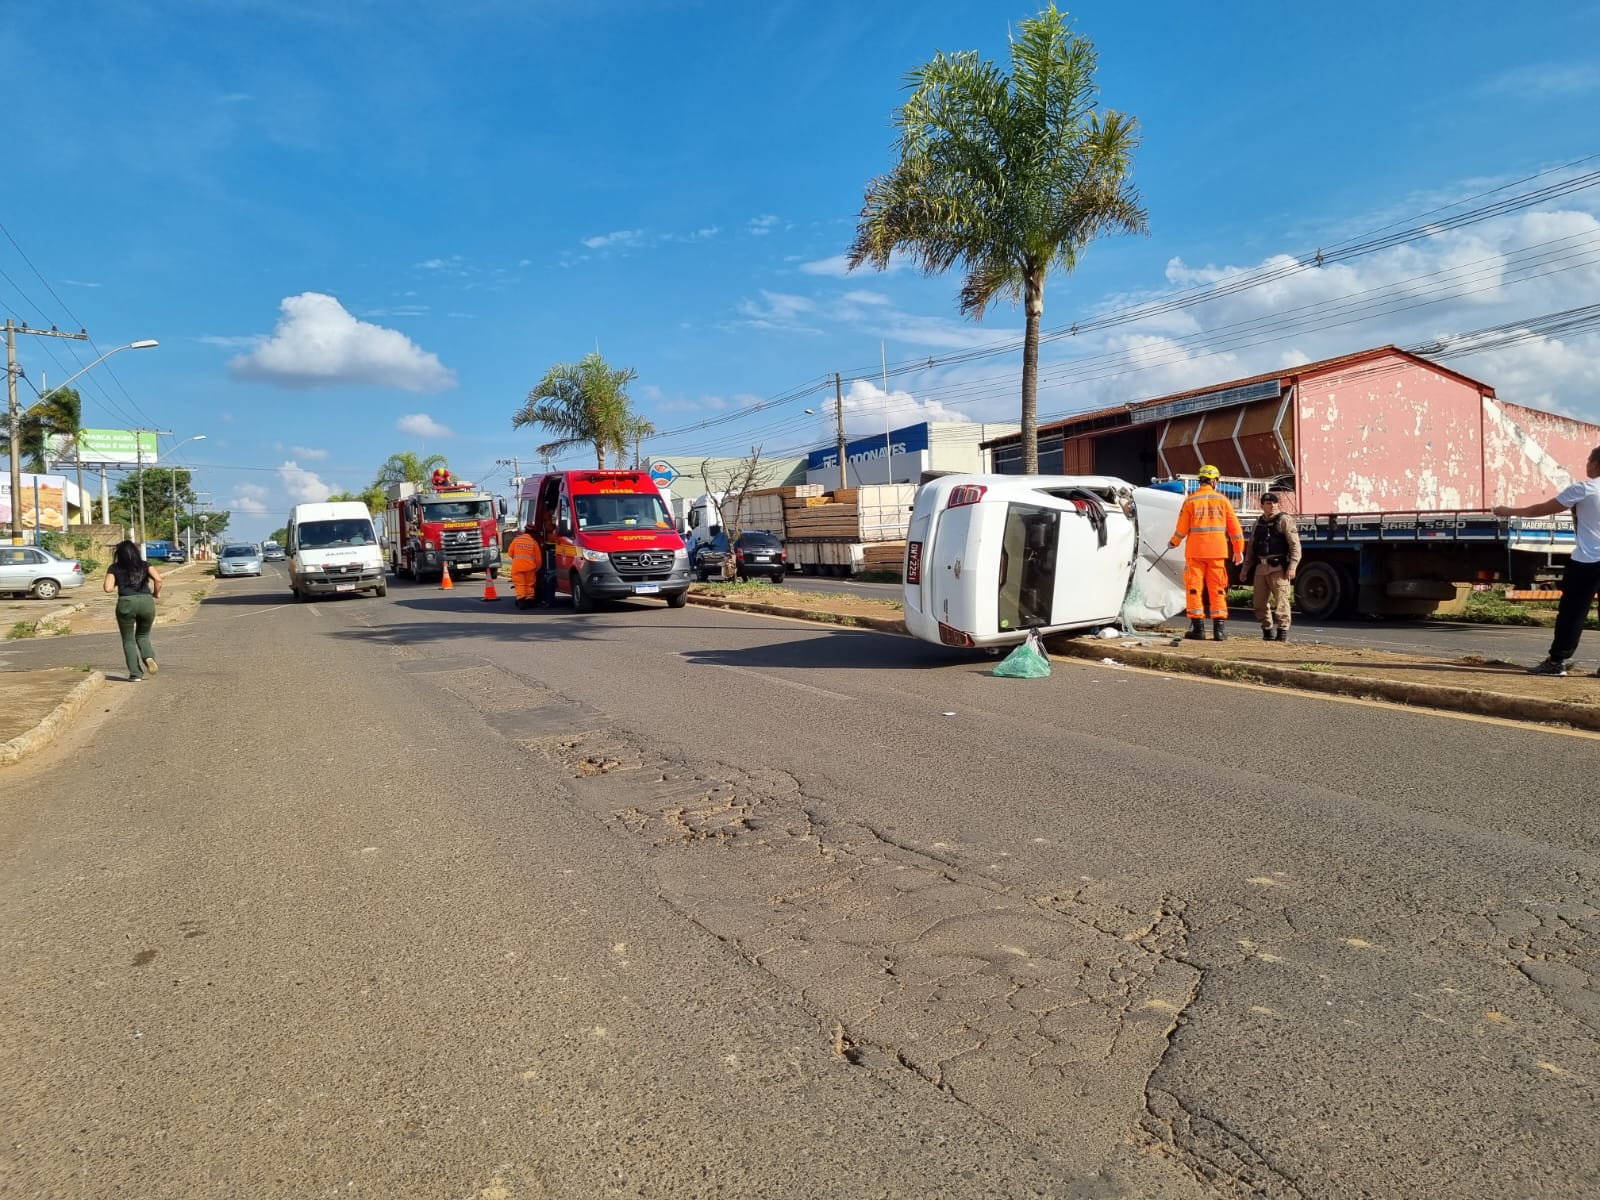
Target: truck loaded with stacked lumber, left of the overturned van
(842,532)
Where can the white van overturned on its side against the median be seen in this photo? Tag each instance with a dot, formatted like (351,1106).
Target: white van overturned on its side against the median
(991,558)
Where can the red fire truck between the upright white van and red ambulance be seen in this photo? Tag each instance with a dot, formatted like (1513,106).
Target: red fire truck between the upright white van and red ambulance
(430,527)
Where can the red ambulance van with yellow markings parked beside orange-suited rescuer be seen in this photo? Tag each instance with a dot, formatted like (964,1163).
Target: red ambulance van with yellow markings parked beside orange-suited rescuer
(609,537)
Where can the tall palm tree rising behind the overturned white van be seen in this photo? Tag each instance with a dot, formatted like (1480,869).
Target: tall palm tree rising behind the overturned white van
(1006,177)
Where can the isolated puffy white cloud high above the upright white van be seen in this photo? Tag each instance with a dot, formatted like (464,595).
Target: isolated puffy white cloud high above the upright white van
(319,345)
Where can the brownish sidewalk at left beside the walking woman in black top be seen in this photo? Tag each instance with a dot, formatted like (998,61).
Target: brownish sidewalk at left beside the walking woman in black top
(50,676)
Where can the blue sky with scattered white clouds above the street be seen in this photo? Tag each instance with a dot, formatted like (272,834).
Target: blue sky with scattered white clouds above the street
(370,226)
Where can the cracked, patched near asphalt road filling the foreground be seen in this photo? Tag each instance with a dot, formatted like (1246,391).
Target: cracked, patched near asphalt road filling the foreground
(433,898)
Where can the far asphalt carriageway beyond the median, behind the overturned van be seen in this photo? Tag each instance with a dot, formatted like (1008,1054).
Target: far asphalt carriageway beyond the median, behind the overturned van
(1436,639)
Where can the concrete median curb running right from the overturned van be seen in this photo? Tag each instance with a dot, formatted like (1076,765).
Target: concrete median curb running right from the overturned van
(1417,695)
